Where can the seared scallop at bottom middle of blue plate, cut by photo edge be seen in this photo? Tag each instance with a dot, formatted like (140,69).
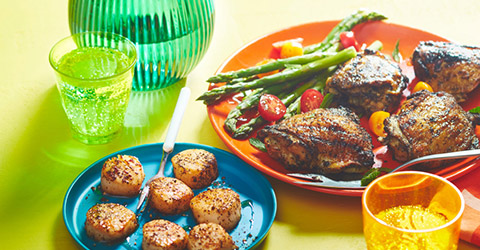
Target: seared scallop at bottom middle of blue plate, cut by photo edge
(163,235)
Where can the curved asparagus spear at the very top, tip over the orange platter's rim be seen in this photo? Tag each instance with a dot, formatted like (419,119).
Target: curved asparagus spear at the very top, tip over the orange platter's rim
(346,24)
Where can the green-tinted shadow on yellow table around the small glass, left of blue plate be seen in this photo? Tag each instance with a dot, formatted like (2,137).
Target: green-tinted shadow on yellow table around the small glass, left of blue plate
(45,159)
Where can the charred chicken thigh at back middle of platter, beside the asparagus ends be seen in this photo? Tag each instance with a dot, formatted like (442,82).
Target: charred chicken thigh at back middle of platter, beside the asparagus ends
(368,82)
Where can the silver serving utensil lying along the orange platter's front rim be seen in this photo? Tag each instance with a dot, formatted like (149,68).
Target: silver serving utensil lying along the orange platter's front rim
(318,180)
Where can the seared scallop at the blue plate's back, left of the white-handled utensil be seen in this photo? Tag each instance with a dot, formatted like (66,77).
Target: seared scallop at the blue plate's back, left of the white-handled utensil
(122,175)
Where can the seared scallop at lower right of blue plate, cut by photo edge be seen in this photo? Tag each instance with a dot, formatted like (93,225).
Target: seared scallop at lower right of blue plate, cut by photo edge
(210,236)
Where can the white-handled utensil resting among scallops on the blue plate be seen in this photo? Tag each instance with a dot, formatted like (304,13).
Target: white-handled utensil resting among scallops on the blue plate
(169,140)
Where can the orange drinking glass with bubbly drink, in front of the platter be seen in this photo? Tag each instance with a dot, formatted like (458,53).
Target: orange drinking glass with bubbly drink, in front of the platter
(412,210)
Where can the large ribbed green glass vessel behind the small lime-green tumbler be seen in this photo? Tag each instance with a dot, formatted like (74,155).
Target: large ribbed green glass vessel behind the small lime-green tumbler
(171,36)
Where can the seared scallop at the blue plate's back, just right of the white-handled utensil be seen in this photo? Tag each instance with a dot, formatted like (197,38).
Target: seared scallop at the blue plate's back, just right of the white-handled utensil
(196,167)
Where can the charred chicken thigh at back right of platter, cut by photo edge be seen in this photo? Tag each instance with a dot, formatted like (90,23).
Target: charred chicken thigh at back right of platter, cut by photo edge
(448,67)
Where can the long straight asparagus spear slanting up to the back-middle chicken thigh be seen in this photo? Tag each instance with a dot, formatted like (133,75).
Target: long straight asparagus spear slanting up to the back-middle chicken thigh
(289,74)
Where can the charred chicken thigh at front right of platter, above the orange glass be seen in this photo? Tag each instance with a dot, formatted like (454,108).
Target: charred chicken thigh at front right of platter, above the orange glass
(429,123)
